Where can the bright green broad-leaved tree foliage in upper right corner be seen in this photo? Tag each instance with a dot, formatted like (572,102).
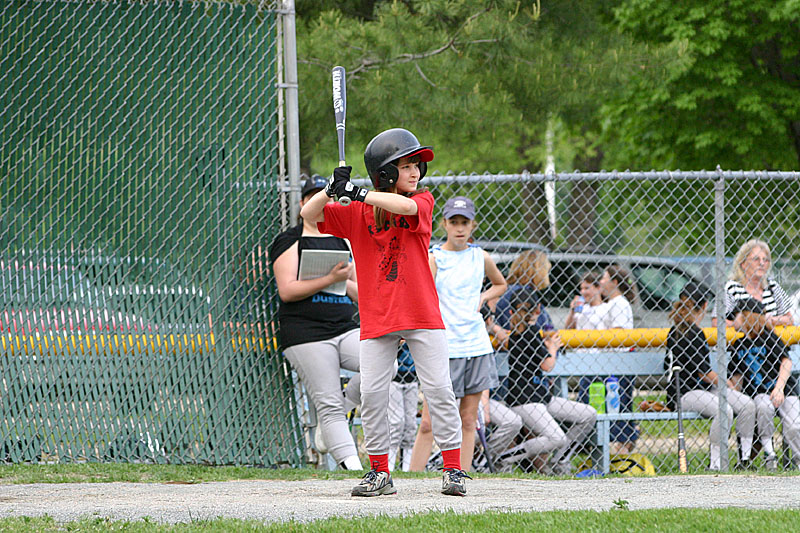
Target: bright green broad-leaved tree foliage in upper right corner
(728,95)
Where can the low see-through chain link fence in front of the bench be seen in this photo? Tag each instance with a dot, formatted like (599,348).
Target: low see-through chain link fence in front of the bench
(663,230)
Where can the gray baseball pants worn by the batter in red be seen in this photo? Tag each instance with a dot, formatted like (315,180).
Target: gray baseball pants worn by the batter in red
(377,359)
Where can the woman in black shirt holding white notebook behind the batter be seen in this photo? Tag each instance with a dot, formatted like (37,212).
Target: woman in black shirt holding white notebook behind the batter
(317,331)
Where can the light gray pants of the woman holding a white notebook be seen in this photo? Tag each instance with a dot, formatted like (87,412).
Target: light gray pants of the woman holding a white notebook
(317,364)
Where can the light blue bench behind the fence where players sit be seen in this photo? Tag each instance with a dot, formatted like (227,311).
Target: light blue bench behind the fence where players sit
(650,362)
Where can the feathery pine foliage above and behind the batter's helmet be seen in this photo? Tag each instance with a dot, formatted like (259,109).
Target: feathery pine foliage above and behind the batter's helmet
(478,80)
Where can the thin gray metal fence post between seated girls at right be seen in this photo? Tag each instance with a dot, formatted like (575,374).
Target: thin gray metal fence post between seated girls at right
(719,292)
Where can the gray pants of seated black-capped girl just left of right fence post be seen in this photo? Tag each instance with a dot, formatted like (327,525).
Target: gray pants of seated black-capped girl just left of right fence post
(707,404)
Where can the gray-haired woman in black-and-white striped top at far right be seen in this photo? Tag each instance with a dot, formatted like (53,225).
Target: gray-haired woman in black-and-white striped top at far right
(750,278)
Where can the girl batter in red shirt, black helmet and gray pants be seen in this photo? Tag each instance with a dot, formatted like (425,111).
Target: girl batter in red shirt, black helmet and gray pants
(390,230)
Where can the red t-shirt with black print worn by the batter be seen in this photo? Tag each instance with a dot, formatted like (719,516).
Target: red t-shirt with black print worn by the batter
(395,285)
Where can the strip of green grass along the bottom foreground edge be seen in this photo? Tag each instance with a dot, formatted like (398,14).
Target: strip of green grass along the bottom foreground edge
(618,519)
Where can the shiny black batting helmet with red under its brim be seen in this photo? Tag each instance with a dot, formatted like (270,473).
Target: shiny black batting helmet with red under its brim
(386,148)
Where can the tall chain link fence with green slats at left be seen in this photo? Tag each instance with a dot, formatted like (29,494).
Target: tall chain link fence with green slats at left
(138,142)
